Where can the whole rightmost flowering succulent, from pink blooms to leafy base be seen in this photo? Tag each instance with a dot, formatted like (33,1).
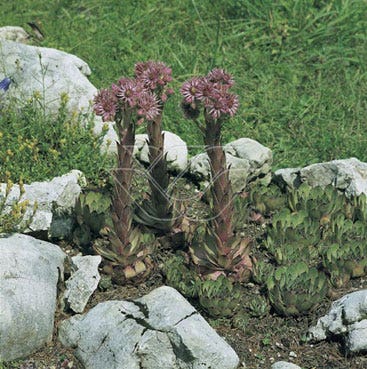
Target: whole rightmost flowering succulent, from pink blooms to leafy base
(220,251)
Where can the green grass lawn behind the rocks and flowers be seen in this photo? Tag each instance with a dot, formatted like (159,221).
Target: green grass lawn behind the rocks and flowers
(300,65)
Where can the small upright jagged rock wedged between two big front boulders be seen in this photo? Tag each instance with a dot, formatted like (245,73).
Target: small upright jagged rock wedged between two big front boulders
(82,282)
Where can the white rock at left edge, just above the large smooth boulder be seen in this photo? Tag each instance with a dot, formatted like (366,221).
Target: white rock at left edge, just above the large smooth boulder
(55,203)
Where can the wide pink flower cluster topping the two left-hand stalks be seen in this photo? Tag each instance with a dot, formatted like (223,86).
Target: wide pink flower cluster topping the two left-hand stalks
(143,94)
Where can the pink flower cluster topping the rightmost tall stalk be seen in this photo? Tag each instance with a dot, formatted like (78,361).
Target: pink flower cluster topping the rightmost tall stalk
(212,92)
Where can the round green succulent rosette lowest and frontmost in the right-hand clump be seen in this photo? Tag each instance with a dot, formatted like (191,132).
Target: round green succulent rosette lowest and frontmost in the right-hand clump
(296,289)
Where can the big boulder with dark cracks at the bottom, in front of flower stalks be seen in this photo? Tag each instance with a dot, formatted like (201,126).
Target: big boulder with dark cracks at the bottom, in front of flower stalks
(160,330)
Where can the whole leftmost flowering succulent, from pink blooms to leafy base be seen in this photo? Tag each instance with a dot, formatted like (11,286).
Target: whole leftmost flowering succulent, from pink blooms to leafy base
(128,103)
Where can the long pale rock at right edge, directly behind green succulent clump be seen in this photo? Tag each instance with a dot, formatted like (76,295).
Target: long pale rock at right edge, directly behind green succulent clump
(347,175)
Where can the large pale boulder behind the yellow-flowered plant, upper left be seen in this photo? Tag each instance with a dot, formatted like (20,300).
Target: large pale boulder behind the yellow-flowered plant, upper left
(51,73)
